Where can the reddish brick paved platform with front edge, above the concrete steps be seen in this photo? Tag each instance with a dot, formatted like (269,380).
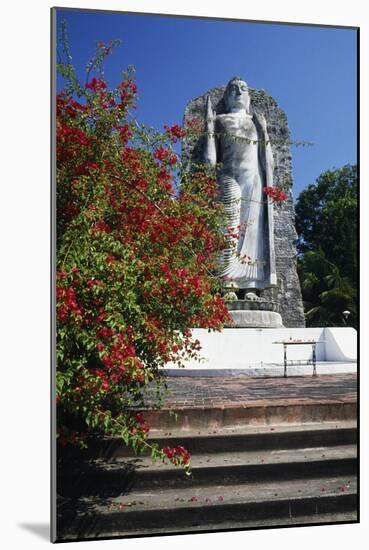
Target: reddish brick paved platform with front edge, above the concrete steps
(239,401)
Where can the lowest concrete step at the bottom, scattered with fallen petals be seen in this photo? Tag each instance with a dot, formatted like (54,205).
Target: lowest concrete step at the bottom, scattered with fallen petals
(213,507)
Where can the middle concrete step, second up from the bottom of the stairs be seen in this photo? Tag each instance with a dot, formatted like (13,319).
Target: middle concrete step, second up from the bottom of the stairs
(102,477)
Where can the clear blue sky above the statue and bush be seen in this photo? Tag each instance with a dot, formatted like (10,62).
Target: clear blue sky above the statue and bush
(310,71)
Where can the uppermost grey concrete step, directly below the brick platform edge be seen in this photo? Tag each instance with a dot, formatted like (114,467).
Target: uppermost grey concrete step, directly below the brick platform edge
(244,438)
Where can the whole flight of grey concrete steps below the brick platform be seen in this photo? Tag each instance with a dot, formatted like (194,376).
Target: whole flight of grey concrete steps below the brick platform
(242,477)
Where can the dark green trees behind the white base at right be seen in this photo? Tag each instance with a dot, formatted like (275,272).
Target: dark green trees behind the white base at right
(326,221)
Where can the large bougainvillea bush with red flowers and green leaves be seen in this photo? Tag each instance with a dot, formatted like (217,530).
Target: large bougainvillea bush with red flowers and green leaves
(136,257)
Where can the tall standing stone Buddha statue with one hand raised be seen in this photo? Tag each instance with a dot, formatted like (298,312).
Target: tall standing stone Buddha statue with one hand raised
(239,141)
